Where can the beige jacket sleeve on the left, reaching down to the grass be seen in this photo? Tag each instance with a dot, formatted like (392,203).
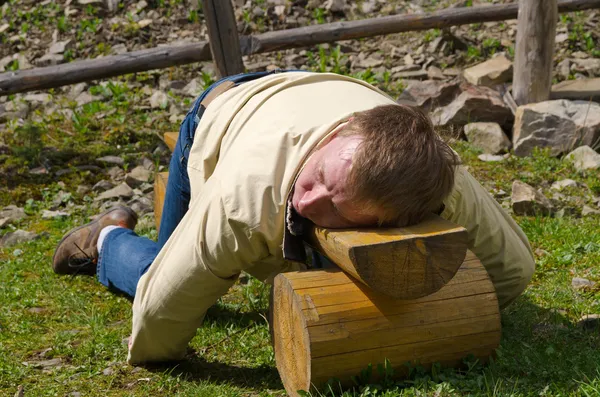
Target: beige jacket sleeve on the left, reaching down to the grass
(199,263)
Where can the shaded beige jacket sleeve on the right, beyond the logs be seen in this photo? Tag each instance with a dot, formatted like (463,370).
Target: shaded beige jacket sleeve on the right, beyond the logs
(494,237)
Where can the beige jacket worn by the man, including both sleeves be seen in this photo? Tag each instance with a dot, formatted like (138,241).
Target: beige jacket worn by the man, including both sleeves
(248,149)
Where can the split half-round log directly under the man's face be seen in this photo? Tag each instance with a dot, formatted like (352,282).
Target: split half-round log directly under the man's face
(404,263)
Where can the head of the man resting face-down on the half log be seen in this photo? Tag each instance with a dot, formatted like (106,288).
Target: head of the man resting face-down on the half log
(387,166)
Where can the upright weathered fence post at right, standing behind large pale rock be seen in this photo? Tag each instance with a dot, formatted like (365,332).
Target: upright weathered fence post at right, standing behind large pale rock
(534,51)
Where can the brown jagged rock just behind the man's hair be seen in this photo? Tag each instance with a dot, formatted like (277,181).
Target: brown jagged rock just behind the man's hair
(474,104)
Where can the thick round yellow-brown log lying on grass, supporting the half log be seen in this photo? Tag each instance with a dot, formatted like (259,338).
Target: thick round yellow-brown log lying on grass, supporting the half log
(326,325)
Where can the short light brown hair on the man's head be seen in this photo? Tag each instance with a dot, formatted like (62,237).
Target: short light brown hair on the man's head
(402,168)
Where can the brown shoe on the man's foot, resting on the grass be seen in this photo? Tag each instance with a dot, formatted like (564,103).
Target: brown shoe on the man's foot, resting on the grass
(77,252)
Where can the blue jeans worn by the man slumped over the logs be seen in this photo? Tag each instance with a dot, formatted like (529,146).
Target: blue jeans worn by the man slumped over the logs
(125,257)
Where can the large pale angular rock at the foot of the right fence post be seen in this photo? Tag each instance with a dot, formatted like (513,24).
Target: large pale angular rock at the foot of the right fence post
(559,125)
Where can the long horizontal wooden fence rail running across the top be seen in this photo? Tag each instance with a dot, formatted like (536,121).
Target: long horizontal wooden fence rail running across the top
(167,56)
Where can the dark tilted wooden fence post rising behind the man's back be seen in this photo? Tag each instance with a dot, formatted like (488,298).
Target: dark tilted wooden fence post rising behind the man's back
(223,37)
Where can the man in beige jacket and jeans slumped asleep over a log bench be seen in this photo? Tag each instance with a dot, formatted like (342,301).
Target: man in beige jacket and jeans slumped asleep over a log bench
(264,157)
